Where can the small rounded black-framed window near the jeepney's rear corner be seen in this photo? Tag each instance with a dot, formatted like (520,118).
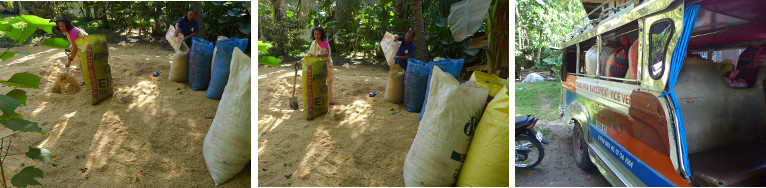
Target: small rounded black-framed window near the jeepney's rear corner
(659,37)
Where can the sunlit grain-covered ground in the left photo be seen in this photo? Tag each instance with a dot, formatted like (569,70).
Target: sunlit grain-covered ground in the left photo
(151,125)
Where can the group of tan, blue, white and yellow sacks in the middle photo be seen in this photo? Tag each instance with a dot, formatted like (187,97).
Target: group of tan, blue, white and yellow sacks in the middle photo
(461,139)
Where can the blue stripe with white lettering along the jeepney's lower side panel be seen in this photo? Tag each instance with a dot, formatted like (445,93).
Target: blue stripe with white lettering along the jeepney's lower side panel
(644,172)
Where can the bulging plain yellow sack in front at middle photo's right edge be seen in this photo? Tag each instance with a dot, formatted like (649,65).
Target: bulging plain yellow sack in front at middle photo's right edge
(486,162)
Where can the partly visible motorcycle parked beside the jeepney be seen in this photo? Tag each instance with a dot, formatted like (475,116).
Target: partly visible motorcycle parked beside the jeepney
(529,143)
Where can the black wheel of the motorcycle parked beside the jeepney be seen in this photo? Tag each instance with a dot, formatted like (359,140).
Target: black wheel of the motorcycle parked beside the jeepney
(529,152)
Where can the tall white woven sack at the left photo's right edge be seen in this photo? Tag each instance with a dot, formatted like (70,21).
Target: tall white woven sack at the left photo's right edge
(227,145)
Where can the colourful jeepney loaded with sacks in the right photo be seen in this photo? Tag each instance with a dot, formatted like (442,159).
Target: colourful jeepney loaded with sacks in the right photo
(676,121)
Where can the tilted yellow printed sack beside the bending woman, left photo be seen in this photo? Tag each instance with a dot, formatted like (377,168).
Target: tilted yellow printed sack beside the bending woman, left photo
(94,60)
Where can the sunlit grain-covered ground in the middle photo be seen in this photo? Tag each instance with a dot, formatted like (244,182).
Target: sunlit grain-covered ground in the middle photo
(361,141)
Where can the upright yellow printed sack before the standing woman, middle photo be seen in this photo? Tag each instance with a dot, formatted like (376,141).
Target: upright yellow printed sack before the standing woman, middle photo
(313,82)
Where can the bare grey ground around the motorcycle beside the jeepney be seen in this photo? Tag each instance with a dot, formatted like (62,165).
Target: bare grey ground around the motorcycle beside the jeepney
(558,168)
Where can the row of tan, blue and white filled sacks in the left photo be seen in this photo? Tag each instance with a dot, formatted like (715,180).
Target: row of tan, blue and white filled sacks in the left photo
(224,71)
